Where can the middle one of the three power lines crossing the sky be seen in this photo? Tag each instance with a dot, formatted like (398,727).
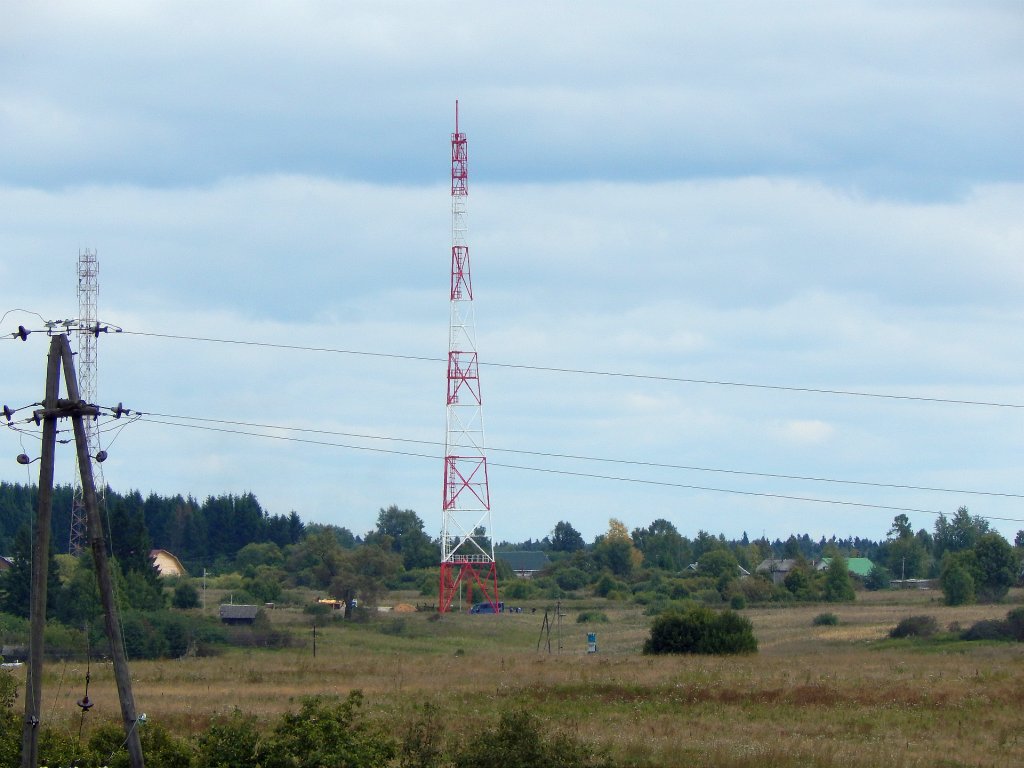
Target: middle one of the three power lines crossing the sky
(605,460)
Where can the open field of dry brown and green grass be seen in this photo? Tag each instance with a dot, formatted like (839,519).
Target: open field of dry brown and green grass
(812,697)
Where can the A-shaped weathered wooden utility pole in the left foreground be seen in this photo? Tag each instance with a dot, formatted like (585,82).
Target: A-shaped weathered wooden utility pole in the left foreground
(76,410)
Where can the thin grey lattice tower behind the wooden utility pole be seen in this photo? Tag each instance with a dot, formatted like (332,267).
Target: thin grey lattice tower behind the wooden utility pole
(88,327)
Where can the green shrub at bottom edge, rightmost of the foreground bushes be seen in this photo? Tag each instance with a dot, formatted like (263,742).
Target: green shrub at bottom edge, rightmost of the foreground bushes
(520,742)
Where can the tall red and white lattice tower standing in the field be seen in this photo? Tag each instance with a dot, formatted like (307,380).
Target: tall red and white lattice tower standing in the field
(467,543)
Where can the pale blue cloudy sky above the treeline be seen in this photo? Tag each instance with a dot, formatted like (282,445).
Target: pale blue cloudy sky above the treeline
(790,197)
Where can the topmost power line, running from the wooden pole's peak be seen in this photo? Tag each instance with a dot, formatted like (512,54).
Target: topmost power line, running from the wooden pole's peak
(591,372)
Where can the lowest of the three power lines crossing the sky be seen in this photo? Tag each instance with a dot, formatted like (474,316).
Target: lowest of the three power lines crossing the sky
(589,476)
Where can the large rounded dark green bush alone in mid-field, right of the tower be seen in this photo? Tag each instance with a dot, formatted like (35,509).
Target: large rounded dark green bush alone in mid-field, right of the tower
(701,630)
